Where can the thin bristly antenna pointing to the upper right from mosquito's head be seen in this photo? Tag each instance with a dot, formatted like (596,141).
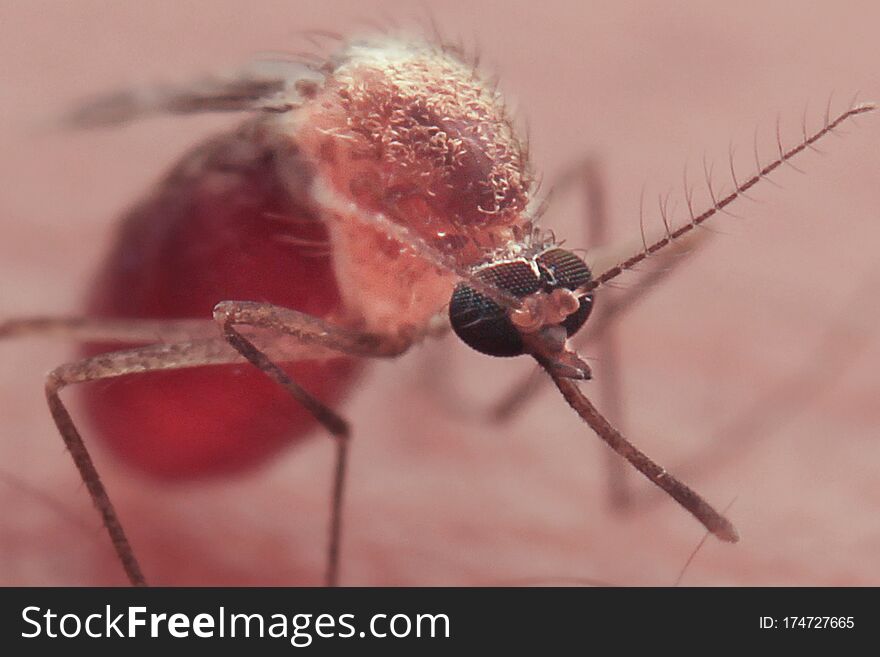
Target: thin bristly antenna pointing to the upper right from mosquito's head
(720,204)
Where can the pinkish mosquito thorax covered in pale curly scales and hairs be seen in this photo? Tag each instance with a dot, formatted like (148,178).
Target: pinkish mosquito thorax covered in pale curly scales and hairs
(409,133)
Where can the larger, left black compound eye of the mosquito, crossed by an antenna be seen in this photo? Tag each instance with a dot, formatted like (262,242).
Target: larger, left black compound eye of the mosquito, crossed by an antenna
(480,322)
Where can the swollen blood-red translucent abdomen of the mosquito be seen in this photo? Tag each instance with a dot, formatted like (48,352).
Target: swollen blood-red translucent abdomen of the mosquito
(221,226)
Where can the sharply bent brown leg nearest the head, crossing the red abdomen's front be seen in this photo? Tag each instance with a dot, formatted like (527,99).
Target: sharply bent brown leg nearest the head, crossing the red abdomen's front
(311,330)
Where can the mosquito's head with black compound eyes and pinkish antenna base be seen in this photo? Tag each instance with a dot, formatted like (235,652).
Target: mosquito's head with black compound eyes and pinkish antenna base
(552,310)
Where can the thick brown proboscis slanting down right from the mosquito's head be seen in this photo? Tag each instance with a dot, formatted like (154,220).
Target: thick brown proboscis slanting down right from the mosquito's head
(680,492)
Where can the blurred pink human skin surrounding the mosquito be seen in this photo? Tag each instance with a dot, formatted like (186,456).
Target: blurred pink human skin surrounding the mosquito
(434,496)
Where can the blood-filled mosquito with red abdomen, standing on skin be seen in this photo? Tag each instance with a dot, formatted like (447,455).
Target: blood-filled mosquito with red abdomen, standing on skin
(371,200)
